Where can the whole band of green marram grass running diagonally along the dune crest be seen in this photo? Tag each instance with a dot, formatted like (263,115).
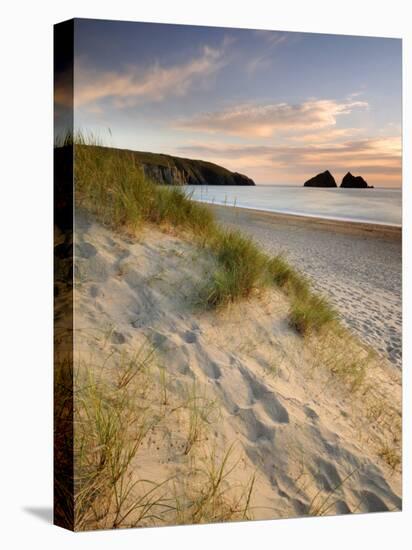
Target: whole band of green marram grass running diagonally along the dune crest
(111,184)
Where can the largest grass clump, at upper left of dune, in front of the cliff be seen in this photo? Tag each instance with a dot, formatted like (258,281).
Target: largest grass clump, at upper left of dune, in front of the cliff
(110,184)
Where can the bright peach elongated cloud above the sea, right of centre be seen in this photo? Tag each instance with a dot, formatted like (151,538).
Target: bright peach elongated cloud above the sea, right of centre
(263,120)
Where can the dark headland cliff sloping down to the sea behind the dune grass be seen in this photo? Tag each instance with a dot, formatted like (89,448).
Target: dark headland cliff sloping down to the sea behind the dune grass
(170,170)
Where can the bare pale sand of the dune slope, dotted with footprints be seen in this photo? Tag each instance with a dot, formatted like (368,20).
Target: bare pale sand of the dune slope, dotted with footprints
(314,445)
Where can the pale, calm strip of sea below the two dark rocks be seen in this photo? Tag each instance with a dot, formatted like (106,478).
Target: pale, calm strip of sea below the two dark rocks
(379,205)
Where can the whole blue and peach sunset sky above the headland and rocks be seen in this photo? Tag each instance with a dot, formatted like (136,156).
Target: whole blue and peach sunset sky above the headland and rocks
(277,106)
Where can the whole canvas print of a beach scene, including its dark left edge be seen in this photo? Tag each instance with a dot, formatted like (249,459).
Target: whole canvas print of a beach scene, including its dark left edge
(227,274)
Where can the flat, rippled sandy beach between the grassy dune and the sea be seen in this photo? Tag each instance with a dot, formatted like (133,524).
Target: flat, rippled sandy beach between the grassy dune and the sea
(357,266)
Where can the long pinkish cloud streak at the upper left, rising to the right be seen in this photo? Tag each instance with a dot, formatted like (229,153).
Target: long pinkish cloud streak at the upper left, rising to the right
(134,84)
